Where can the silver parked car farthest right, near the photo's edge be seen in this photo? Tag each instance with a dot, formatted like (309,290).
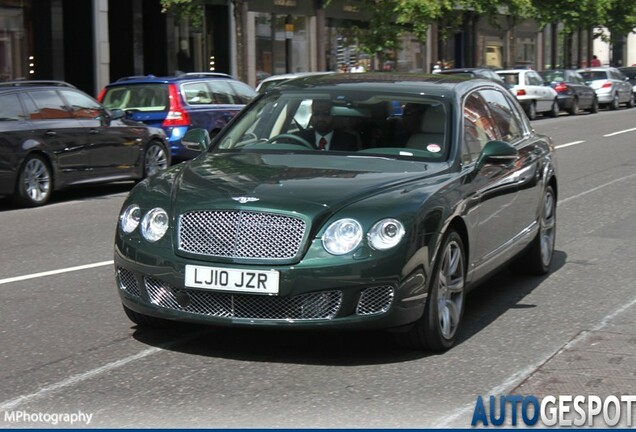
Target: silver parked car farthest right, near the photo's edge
(611,86)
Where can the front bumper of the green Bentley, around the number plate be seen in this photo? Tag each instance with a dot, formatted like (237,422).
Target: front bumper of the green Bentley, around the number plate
(310,298)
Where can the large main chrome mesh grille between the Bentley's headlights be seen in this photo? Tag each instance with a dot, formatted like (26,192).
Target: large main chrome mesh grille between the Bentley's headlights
(241,234)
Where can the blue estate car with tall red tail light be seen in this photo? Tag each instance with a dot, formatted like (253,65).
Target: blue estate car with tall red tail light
(200,100)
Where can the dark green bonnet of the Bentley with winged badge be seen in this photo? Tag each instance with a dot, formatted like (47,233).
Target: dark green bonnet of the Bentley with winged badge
(310,184)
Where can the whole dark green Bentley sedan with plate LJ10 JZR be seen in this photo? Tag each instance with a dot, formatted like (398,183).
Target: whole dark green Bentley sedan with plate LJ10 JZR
(343,201)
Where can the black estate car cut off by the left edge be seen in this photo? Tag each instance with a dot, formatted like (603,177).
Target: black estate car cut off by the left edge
(53,135)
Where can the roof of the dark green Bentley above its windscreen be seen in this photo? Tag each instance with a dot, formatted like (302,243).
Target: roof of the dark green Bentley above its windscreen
(399,83)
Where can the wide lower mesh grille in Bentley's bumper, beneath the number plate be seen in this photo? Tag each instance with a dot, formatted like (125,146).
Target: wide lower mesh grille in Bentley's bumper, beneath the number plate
(313,306)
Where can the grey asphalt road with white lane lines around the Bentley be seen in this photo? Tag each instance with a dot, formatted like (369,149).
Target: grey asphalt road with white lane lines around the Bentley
(67,347)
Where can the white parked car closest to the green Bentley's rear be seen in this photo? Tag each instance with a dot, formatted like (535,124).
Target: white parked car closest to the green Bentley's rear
(529,88)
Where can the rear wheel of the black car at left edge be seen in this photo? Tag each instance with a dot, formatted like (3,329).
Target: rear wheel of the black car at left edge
(35,182)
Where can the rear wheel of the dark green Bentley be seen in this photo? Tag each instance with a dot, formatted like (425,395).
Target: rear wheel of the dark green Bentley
(538,257)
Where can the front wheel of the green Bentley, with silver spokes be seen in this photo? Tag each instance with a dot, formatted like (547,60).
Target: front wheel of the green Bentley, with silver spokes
(437,329)
